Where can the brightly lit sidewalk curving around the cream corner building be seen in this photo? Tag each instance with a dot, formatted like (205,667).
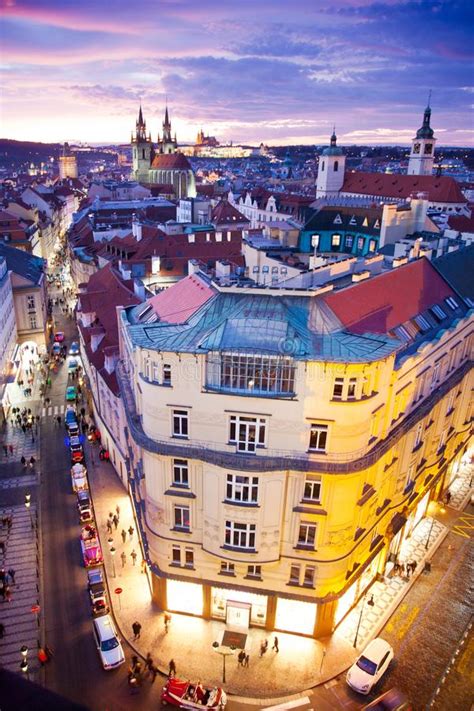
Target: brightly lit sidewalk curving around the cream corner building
(299,665)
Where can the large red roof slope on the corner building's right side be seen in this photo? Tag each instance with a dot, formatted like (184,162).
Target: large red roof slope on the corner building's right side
(383,302)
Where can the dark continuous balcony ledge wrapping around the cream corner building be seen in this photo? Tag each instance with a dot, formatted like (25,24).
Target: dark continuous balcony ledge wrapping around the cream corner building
(224,455)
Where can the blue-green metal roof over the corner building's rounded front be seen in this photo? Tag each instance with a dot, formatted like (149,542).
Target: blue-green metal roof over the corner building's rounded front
(302,327)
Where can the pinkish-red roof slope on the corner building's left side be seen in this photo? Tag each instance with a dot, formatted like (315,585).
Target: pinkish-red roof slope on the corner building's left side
(178,303)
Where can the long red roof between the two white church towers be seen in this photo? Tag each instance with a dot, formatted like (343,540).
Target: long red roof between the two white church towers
(385,185)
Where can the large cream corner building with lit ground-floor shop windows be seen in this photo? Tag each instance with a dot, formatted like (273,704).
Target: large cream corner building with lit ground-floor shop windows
(283,443)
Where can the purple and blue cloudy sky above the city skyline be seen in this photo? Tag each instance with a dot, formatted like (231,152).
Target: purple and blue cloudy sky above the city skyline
(280,71)
